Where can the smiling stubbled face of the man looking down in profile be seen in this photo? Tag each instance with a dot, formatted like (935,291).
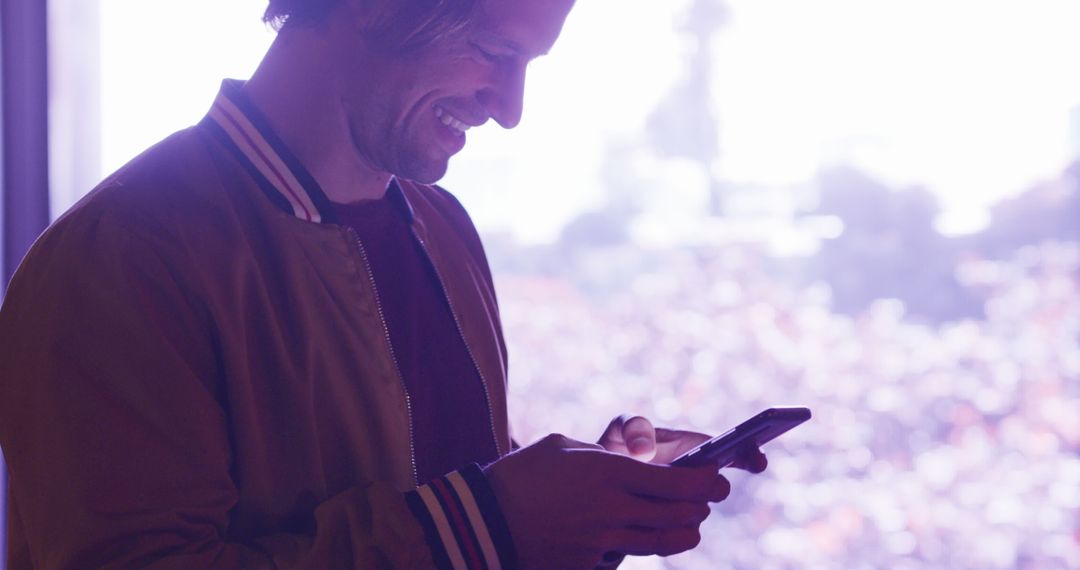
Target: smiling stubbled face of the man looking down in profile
(409,113)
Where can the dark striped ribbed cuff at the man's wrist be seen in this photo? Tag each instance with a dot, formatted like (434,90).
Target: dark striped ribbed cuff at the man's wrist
(463,522)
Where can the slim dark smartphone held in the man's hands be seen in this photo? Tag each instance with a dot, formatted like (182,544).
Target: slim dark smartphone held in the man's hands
(724,450)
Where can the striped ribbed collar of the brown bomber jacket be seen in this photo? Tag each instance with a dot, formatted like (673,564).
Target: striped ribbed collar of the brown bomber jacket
(236,121)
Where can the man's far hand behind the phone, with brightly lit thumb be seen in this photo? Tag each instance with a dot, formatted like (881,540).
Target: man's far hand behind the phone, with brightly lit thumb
(636,437)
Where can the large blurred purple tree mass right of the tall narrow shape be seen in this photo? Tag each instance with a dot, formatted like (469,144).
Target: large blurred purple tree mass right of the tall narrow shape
(889,249)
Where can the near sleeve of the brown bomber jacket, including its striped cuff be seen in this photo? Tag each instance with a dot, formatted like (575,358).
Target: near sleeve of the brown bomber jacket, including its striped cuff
(115,430)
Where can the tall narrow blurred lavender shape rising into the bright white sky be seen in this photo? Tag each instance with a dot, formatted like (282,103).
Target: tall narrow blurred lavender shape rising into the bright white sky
(684,124)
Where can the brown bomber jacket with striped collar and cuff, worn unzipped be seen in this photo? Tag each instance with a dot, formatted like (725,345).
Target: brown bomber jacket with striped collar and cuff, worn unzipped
(196,373)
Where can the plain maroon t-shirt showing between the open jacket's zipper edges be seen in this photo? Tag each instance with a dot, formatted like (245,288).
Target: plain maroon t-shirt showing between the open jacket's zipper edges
(451,423)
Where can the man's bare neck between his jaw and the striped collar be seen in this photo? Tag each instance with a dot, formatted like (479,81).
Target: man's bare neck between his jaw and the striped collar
(294,89)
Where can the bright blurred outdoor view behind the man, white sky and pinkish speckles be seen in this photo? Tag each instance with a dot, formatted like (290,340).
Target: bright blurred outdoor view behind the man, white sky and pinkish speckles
(712,207)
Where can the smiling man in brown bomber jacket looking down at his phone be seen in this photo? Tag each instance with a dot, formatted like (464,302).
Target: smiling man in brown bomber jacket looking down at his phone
(268,343)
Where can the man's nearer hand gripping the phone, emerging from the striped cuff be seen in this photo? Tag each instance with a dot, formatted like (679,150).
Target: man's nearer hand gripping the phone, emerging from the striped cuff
(568,504)
